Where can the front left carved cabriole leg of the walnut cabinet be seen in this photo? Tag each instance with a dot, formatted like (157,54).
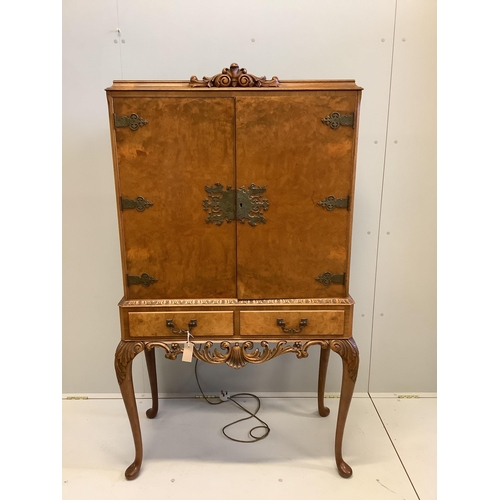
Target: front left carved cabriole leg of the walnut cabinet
(125,353)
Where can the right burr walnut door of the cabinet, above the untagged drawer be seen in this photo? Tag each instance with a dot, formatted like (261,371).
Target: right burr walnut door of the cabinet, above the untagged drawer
(282,144)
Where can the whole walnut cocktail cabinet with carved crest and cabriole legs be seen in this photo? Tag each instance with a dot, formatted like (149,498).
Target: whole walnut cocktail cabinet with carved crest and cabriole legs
(235,198)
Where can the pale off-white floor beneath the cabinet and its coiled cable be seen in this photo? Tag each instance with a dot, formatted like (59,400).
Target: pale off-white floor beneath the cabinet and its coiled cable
(390,443)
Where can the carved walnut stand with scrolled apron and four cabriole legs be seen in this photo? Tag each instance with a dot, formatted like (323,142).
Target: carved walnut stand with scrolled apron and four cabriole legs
(237,355)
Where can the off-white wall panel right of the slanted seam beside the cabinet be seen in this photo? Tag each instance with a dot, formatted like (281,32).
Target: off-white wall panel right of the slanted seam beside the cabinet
(404,335)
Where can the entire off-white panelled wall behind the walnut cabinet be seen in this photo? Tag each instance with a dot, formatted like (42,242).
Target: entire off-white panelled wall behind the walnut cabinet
(392,276)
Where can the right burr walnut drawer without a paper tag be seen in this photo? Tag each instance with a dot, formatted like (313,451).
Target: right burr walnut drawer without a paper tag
(266,323)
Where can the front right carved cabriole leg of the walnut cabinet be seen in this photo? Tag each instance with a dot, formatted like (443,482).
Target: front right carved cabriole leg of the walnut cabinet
(348,351)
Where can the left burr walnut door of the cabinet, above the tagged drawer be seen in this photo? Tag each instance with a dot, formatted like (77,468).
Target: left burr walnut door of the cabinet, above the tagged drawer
(186,145)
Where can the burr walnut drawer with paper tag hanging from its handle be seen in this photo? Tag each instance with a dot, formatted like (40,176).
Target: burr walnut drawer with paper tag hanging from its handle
(154,324)
